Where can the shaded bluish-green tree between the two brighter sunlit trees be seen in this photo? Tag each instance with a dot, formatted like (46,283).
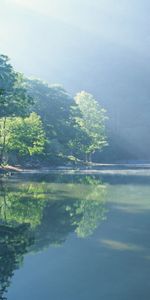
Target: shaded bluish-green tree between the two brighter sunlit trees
(53,104)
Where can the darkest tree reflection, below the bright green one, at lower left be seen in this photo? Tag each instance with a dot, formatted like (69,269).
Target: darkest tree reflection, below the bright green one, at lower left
(14,243)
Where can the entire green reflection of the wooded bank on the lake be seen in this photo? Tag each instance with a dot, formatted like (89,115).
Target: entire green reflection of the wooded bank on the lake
(38,213)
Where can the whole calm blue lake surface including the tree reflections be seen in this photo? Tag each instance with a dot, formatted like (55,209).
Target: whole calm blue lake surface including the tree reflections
(75,237)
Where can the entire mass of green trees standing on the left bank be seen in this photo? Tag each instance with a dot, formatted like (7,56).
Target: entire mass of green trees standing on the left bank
(44,124)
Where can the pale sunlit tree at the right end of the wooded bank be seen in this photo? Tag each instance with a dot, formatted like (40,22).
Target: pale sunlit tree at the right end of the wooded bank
(92,122)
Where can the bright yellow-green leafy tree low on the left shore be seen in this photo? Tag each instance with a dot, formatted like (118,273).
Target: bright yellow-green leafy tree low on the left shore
(23,136)
